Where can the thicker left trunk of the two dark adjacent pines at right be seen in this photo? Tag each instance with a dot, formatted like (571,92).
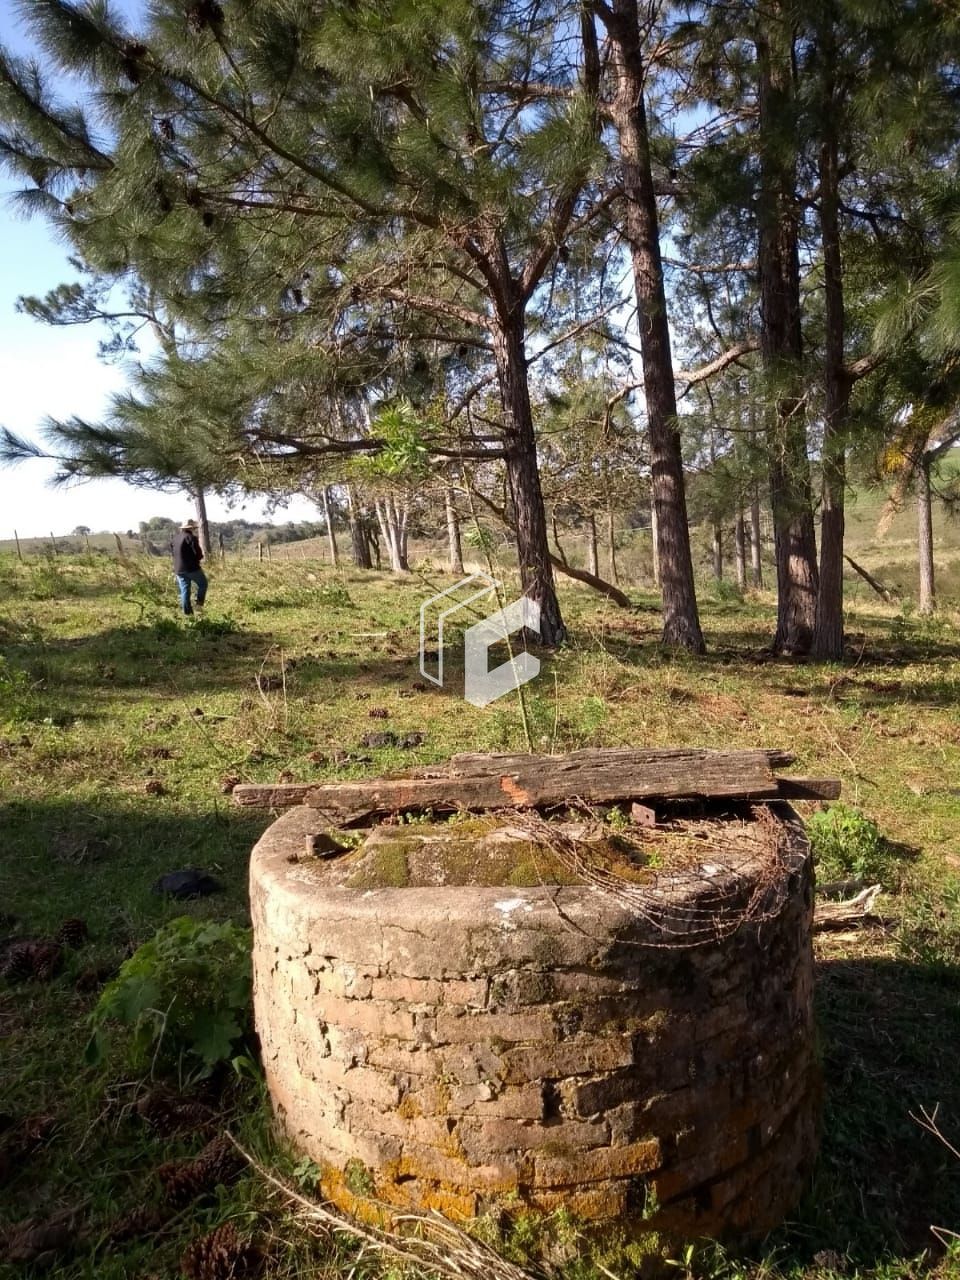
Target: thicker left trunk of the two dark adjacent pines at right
(781,345)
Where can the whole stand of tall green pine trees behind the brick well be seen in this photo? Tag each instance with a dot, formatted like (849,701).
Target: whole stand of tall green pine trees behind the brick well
(519,267)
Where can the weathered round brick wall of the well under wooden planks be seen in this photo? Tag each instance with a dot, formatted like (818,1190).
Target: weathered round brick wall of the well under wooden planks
(463,1048)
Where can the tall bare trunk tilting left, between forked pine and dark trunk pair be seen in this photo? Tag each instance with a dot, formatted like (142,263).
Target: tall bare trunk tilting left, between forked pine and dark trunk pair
(682,621)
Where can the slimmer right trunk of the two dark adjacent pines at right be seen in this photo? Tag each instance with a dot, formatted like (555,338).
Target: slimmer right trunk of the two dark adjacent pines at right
(829,633)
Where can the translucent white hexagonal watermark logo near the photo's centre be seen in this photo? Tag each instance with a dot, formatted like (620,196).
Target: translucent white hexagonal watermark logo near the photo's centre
(482,687)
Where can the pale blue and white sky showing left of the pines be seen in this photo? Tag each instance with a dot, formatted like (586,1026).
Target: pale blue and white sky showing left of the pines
(56,372)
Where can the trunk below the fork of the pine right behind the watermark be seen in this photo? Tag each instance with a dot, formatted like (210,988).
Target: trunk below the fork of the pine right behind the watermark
(523,470)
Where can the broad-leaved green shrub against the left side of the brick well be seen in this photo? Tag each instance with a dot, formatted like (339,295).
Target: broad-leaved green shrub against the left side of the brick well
(185,999)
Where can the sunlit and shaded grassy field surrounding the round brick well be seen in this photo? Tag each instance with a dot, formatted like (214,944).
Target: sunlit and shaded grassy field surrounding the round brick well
(124,725)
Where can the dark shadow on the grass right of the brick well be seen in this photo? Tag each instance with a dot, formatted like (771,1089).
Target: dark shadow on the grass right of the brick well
(889,1036)
